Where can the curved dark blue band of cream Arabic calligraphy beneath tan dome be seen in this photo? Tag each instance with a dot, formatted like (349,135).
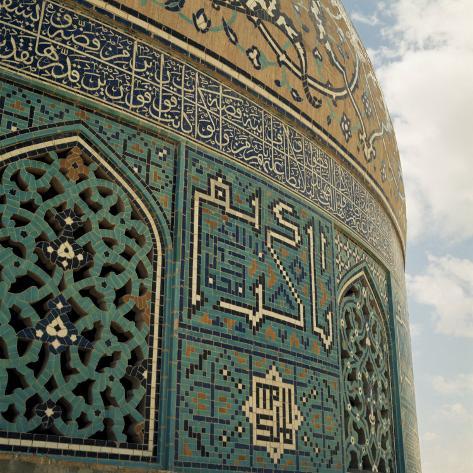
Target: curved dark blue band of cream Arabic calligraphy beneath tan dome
(57,45)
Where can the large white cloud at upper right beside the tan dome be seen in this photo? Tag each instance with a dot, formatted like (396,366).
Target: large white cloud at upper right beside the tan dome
(426,77)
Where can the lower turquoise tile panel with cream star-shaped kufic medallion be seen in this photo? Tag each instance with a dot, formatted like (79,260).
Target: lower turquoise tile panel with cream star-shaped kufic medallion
(240,409)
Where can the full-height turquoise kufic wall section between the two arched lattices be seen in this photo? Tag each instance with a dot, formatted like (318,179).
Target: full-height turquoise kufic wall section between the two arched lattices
(258,370)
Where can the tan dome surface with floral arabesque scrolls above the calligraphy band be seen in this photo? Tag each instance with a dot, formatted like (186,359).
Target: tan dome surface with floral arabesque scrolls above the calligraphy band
(305,58)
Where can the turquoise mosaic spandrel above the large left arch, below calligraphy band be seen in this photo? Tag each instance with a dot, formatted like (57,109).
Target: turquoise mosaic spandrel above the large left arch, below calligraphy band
(148,158)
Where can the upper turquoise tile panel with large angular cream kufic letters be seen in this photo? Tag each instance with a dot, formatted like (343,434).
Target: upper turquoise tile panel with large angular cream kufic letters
(257,263)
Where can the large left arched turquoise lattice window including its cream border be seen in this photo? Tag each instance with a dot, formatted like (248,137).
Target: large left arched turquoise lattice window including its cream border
(80,295)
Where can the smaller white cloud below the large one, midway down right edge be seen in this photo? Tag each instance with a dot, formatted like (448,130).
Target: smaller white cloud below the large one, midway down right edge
(447,287)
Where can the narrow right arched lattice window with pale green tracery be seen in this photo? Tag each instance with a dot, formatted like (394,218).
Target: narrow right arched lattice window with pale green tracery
(365,350)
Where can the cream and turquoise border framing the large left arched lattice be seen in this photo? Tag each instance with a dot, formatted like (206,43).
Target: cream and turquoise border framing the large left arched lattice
(34,142)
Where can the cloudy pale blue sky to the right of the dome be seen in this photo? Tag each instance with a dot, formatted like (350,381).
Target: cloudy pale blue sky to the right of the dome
(422,51)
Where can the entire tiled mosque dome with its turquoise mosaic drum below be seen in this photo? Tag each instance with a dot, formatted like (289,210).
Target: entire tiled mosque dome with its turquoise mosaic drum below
(202,240)
